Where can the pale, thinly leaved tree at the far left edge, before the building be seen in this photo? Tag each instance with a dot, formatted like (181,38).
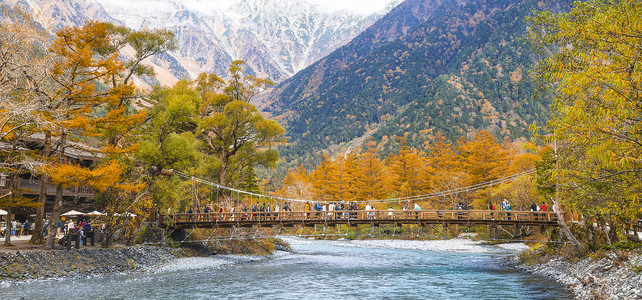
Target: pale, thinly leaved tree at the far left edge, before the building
(23,65)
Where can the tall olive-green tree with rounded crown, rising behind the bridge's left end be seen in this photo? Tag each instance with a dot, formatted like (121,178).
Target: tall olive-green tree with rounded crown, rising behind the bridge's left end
(233,131)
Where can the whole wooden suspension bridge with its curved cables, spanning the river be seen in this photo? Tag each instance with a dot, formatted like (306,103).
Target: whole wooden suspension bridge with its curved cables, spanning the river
(288,218)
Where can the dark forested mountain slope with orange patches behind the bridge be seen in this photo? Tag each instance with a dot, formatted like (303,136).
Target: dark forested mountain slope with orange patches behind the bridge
(429,65)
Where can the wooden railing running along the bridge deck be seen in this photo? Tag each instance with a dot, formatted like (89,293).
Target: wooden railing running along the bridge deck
(445,215)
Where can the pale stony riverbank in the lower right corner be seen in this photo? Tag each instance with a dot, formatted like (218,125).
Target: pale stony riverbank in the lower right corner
(614,276)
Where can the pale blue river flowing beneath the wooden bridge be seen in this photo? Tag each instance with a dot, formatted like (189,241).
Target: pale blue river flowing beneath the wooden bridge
(455,269)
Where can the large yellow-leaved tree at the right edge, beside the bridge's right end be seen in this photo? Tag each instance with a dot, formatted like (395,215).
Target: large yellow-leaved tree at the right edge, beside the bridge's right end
(591,66)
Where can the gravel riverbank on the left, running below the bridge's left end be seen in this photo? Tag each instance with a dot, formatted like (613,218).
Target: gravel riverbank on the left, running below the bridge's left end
(23,261)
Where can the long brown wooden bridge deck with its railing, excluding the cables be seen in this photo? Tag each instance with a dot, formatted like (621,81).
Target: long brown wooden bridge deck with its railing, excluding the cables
(372,217)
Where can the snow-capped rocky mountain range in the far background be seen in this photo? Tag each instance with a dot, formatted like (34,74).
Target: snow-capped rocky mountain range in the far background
(276,38)
